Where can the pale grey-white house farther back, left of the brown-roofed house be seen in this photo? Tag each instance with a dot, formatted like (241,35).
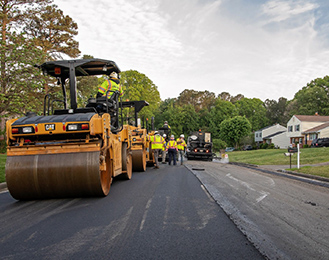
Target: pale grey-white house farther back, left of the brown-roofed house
(275,134)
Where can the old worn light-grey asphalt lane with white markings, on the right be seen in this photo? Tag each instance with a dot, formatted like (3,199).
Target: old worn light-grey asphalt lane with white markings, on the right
(284,218)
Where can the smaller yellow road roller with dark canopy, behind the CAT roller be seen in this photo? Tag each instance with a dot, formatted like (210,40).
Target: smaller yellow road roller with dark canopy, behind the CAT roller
(140,143)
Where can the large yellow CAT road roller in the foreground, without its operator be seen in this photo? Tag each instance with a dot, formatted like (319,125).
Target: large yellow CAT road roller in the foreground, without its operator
(71,151)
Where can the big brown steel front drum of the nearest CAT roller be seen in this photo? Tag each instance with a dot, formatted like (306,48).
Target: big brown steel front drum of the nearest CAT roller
(62,175)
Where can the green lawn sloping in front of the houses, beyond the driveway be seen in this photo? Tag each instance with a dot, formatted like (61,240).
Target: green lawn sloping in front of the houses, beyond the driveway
(277,157)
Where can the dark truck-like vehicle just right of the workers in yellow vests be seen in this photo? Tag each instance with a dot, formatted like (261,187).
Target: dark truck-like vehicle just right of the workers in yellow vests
(199,146)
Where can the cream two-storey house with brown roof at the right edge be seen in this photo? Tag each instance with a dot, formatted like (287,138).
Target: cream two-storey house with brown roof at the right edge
(304,129)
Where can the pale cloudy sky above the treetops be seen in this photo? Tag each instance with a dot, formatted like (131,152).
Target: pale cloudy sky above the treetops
(263,49)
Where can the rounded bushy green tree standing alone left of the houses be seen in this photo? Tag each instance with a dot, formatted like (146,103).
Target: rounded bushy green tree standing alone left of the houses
(232,130)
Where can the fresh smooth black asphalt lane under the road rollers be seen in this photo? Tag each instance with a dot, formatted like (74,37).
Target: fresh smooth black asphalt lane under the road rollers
(159,214)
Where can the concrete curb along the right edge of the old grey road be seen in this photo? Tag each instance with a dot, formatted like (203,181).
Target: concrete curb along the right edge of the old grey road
(316,180)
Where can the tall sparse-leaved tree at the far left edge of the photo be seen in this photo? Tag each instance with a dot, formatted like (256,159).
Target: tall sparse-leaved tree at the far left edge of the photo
(19,81)
